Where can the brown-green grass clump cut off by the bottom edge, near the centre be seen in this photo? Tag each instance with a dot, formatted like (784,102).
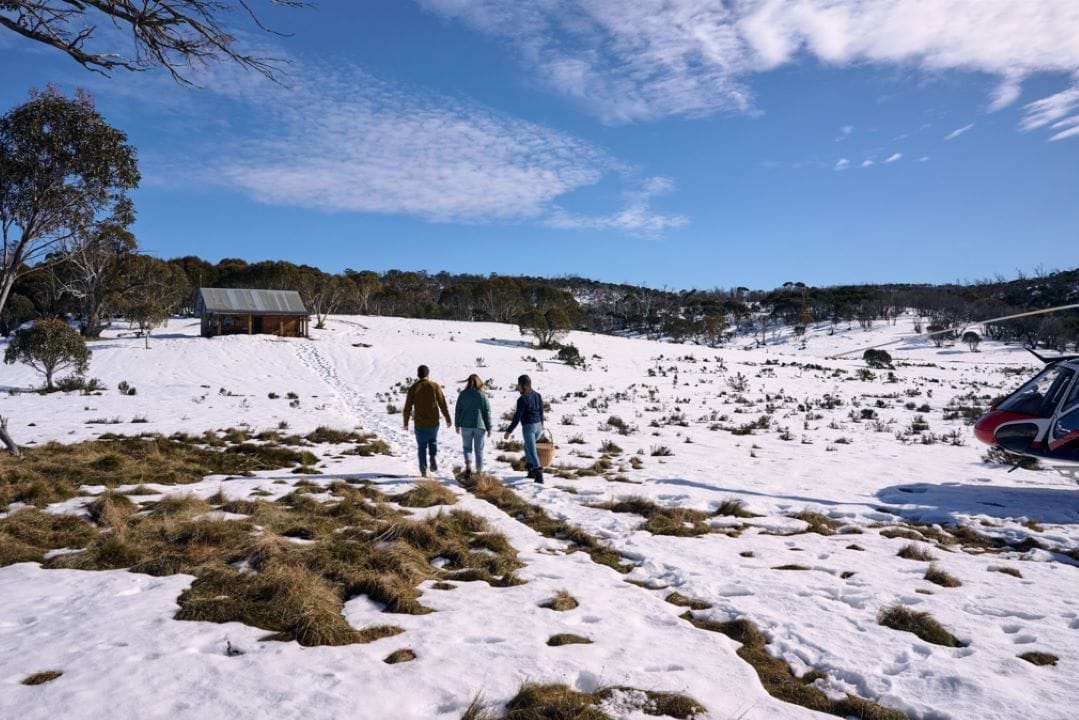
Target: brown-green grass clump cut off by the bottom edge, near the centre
(557,702)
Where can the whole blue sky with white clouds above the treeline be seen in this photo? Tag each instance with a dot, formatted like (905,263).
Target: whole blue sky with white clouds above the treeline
(670,143)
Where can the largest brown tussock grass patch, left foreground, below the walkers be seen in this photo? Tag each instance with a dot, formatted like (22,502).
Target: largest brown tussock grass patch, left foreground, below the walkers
(253,572)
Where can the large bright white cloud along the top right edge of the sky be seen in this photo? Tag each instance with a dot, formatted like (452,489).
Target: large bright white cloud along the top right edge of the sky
(653,59)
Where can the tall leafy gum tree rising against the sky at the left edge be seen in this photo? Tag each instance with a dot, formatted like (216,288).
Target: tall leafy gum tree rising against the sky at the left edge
(63,170)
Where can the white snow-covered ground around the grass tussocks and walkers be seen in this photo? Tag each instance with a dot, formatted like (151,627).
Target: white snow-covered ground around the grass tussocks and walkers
(122,655)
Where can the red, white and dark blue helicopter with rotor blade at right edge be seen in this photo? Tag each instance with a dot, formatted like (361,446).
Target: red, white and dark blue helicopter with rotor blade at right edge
(1041,420)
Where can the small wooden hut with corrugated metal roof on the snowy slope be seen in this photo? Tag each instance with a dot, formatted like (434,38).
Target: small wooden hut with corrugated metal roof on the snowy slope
(233,311)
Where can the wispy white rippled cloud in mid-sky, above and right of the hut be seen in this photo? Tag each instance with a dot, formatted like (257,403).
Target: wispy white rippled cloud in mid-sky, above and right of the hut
(342,141)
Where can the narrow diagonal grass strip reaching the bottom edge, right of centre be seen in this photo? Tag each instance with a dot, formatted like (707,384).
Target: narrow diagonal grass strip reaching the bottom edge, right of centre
(780,680)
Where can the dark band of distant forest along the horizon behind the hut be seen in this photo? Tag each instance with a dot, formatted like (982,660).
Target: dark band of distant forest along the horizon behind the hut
(64,288)
